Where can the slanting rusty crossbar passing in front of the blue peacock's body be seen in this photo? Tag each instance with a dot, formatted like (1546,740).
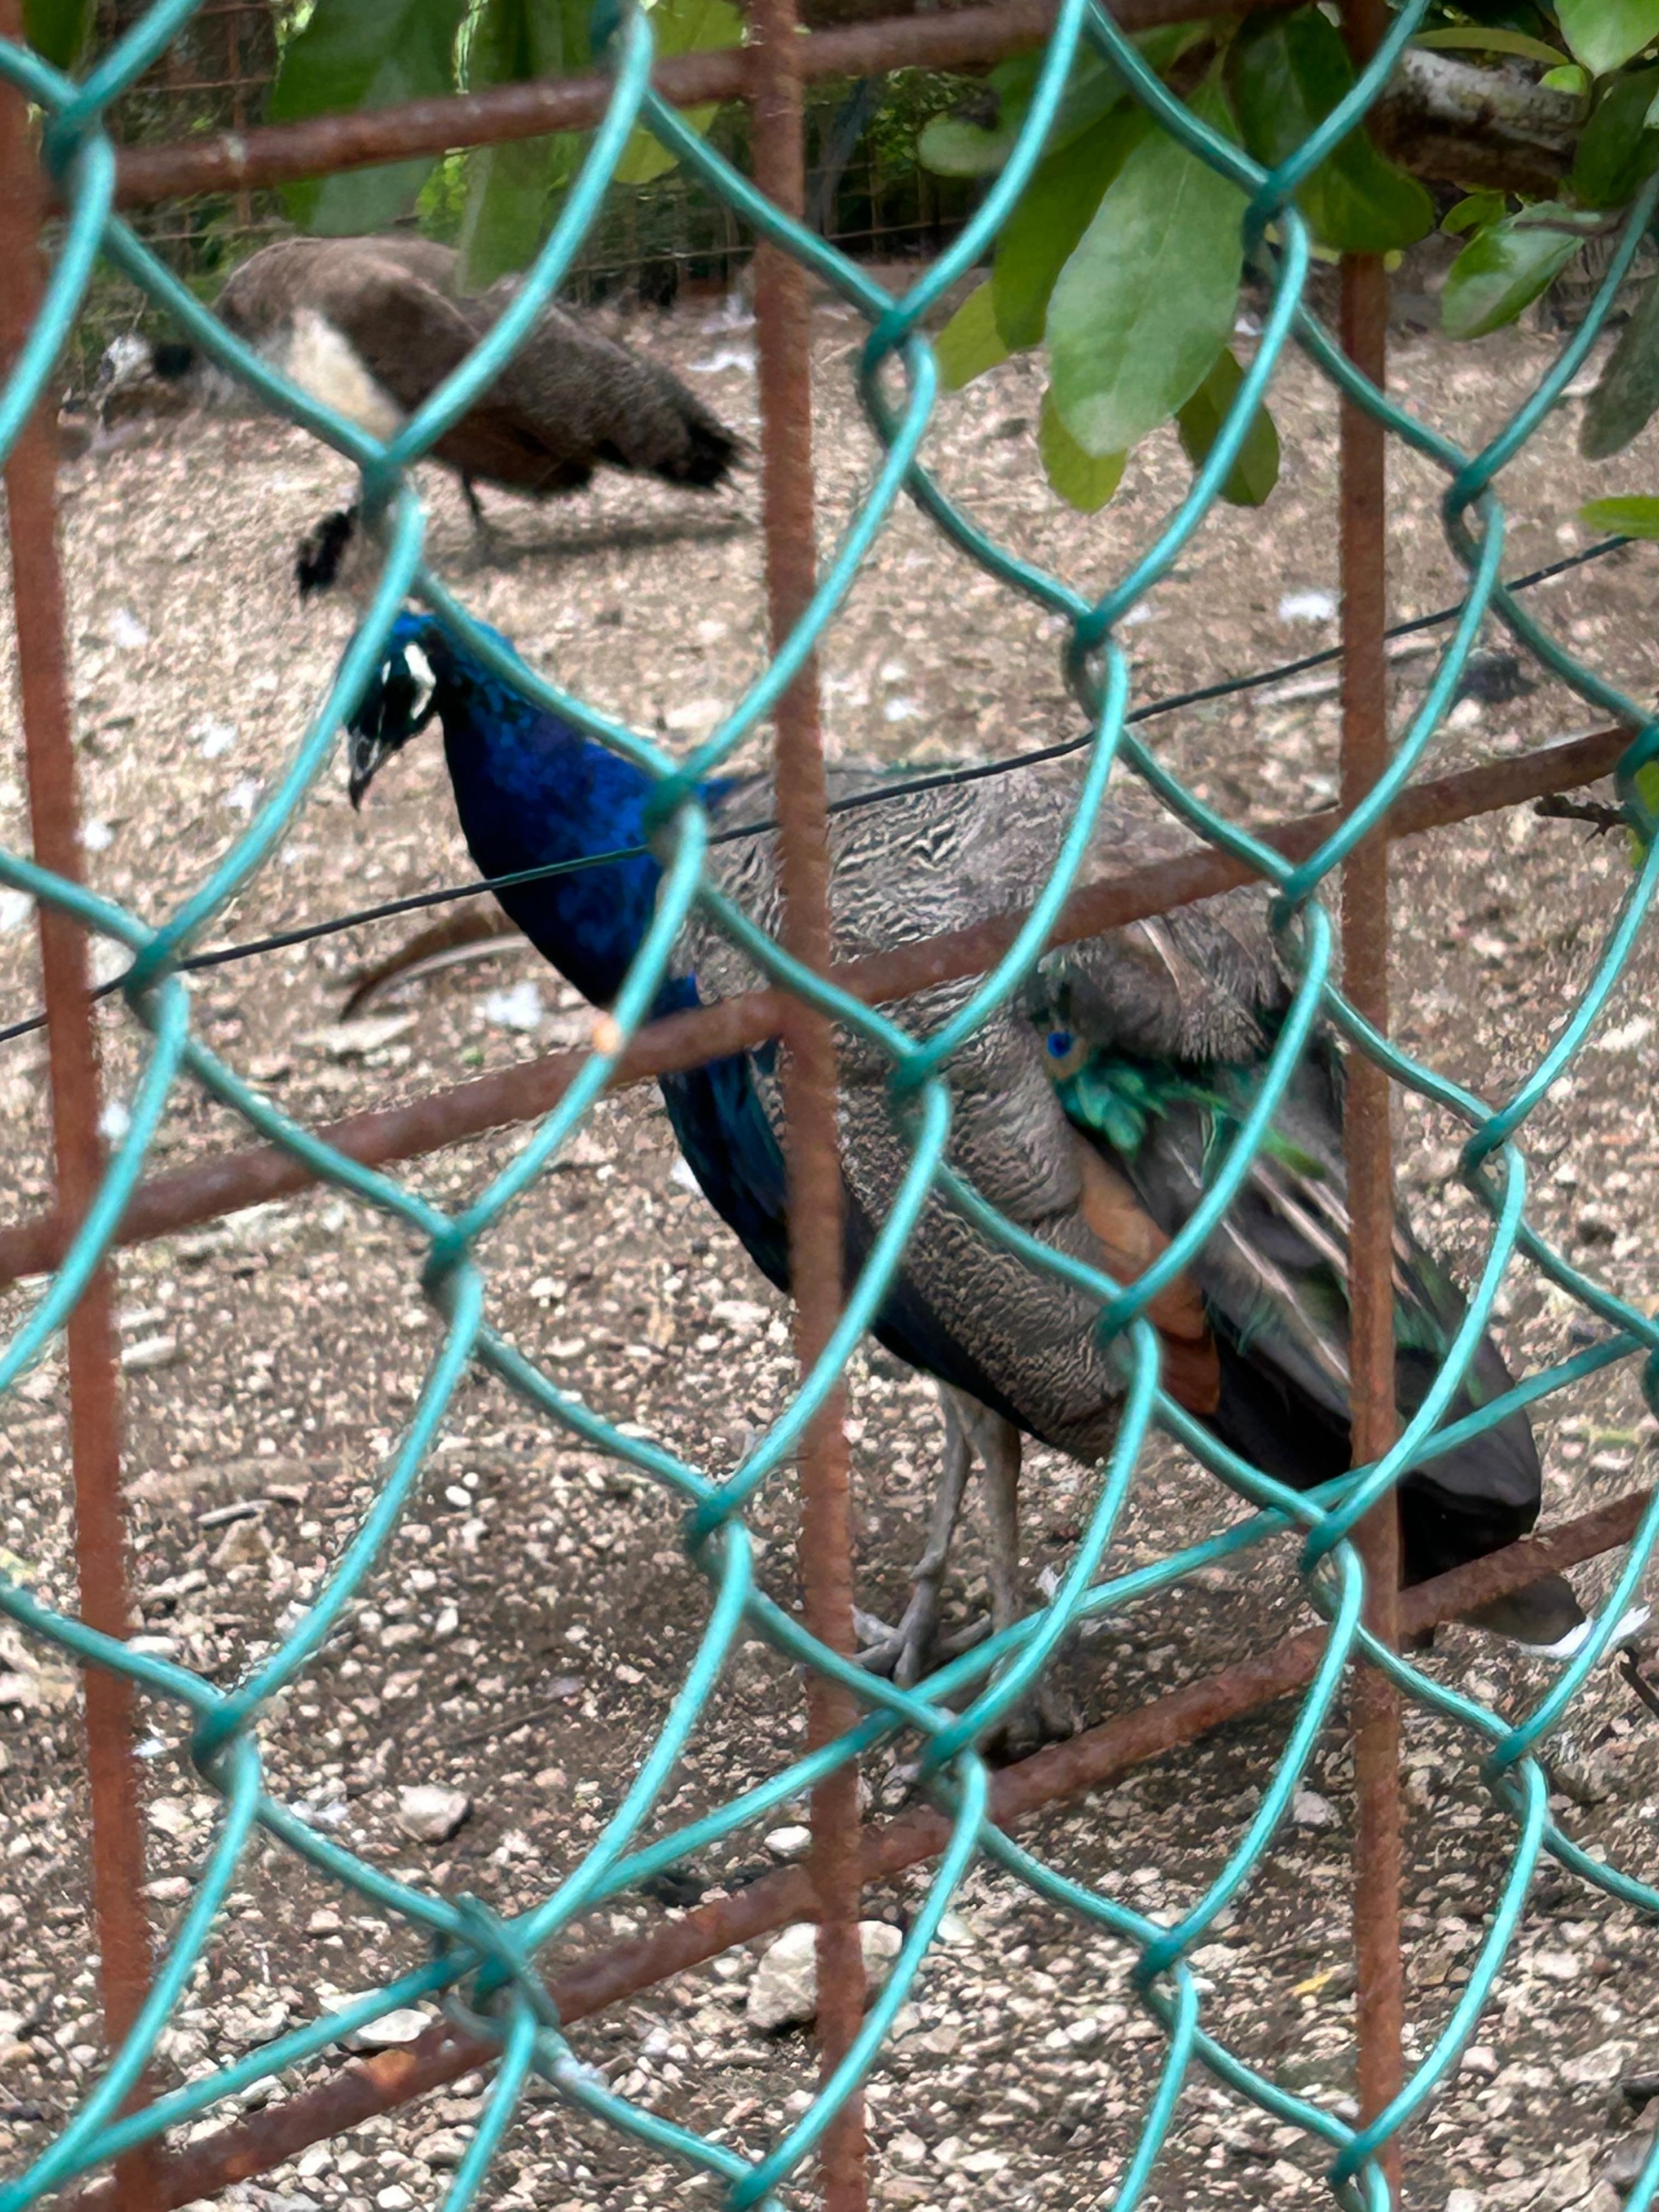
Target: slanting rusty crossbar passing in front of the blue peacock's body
(687,1041)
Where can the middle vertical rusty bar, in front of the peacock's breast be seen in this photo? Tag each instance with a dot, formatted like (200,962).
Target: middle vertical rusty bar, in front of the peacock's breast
(784,337)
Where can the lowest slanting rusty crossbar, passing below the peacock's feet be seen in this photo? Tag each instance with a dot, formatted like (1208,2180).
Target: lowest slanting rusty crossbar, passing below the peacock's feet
(364,2089)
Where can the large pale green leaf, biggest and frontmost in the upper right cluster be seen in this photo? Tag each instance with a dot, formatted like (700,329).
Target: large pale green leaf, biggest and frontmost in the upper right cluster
(1147,300)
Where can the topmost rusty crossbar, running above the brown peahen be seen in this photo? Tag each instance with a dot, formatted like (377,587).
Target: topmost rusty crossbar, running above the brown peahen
(282,154)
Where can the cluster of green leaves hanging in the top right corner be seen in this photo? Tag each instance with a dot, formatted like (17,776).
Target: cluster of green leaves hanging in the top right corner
(1123,260)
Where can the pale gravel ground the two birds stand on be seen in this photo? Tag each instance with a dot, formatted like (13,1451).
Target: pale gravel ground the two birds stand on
(521,1640)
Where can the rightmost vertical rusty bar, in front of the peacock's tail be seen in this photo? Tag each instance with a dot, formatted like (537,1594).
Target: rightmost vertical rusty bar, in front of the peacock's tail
(1366,974)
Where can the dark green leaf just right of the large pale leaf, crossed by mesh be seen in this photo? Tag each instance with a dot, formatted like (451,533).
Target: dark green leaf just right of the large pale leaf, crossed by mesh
(1286,79)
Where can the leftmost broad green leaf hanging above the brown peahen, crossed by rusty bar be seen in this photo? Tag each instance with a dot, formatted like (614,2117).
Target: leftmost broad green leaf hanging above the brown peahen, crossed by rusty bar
(364,54)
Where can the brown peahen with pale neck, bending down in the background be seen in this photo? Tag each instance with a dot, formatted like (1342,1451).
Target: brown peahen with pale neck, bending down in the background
(373,326)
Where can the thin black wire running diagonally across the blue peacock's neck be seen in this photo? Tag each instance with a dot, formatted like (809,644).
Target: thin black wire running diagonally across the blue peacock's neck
(879,795)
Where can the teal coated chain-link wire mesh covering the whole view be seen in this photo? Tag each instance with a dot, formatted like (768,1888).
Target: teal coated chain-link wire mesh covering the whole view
(483,1965)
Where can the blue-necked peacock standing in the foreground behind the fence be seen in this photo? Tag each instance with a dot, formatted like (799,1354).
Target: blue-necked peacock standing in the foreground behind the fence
(1092,1114)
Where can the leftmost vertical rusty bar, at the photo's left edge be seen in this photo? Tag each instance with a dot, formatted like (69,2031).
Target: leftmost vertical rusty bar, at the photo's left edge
(72,1058)
